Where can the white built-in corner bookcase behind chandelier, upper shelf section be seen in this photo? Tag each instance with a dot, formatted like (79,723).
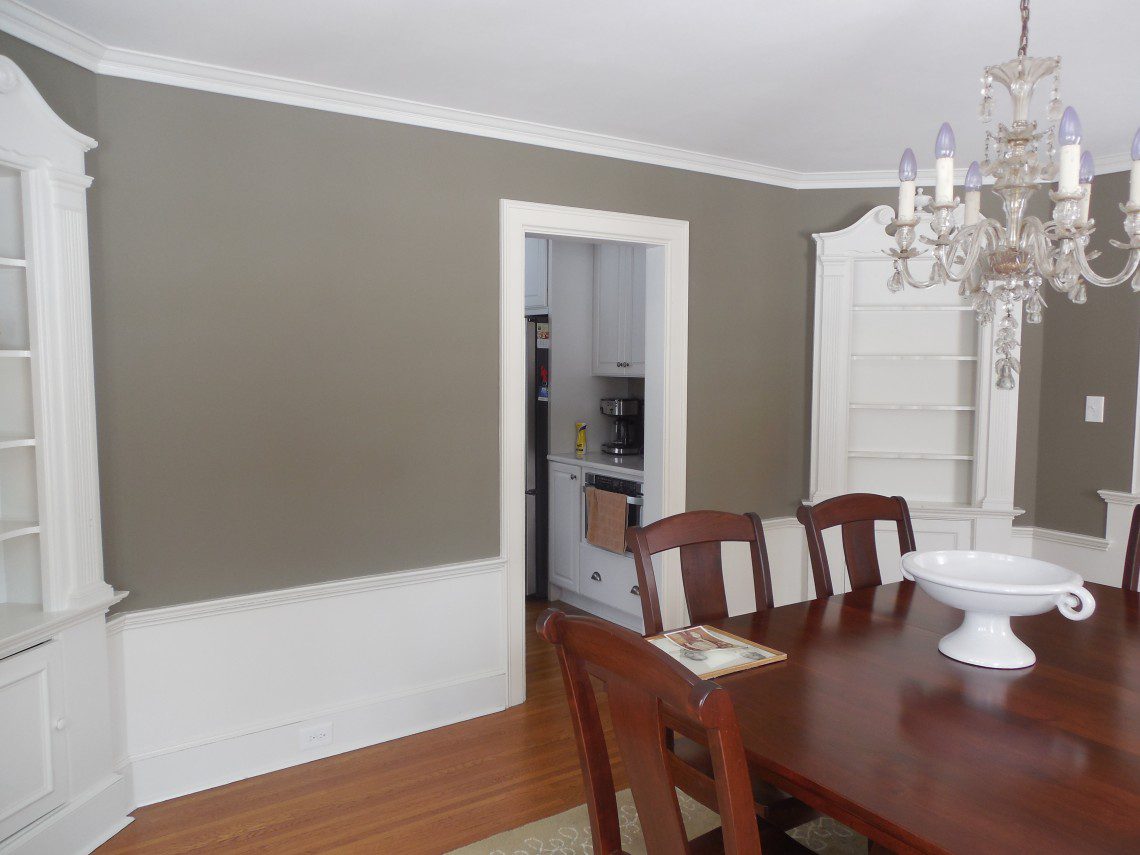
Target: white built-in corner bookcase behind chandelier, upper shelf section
(905,401)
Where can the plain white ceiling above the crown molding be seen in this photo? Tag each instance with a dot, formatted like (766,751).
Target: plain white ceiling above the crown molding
(809,87)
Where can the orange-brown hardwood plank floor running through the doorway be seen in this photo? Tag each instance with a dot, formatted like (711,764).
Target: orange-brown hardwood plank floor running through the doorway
(426,794)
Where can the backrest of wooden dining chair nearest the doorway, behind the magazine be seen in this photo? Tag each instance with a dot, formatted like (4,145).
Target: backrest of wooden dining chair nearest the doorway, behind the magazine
(698,535)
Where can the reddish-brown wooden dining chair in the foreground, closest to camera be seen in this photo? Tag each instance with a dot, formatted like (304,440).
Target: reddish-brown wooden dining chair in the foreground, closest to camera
(641,683)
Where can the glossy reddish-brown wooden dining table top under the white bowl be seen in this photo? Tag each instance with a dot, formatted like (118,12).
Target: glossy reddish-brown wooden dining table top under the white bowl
(870,724)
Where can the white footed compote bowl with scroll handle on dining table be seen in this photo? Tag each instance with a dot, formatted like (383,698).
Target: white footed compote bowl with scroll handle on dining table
(991,589)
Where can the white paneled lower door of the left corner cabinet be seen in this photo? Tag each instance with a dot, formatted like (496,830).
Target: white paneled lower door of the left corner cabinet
(34,763)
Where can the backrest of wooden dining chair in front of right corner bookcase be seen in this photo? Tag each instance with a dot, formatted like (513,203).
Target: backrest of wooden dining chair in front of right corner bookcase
(857,514)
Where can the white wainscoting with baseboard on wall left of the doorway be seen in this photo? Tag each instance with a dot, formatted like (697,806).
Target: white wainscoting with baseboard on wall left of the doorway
(214,693)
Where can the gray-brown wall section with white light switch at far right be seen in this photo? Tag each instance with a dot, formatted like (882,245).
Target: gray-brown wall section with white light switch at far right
(1090,349)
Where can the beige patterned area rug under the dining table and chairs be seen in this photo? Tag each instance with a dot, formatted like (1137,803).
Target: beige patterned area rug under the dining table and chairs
(568,834)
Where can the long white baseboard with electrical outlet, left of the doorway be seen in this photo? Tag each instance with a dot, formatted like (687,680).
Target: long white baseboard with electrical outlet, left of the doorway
(184,770)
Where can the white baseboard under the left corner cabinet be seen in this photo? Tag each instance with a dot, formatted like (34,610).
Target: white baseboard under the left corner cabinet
(82,826)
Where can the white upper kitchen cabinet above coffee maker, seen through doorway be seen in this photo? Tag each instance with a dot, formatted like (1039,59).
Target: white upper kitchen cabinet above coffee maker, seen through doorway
(620,312)
